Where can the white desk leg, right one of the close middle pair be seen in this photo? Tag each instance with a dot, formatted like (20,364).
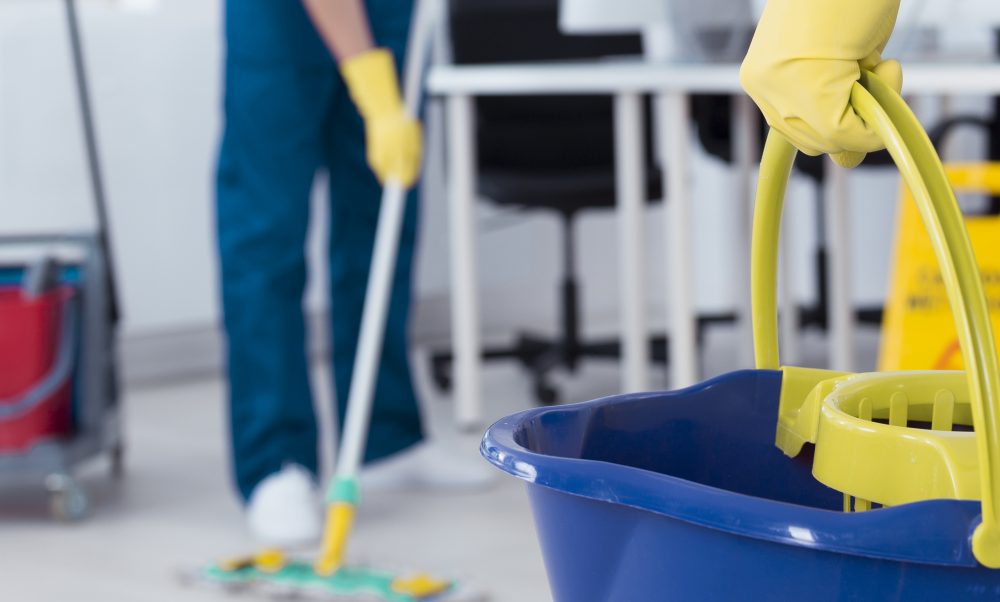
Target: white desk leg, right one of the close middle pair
(674,132)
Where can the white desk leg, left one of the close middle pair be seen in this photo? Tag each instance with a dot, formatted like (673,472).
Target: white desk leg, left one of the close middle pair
(630,191)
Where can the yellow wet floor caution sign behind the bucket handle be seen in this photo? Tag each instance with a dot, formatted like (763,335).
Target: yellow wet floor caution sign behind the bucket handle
(918,332)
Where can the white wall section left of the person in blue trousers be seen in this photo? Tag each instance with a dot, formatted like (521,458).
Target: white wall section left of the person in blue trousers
(154,77)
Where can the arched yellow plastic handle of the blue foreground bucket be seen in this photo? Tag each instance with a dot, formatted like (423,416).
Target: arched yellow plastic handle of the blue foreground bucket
(887,114)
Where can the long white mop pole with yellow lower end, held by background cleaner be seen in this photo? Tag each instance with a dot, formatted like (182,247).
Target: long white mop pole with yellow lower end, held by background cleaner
(342,493)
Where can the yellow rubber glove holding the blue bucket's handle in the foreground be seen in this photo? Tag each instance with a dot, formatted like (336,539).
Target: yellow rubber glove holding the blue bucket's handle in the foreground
(803,60)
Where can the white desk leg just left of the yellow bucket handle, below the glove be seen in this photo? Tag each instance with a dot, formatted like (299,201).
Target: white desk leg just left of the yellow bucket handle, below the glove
(746,152)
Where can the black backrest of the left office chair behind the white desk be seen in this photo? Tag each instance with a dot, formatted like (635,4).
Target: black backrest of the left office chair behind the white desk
(537,132)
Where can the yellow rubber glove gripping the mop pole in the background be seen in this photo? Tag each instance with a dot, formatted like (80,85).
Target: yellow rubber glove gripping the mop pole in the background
(393,138)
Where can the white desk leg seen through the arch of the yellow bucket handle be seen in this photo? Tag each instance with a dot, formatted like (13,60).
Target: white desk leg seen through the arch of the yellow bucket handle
(838,243)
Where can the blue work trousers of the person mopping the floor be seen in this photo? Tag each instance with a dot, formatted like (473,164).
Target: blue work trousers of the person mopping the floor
(287,116)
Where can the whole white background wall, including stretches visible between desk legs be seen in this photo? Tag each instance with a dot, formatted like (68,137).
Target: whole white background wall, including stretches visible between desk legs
(156,81)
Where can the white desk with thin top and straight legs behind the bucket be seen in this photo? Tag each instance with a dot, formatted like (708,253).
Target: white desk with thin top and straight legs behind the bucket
(671,84)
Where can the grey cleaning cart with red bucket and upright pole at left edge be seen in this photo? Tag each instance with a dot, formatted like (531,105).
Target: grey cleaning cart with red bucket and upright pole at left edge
(58,316)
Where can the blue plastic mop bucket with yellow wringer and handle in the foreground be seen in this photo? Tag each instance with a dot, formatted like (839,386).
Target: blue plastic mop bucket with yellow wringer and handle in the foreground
(783,483)
